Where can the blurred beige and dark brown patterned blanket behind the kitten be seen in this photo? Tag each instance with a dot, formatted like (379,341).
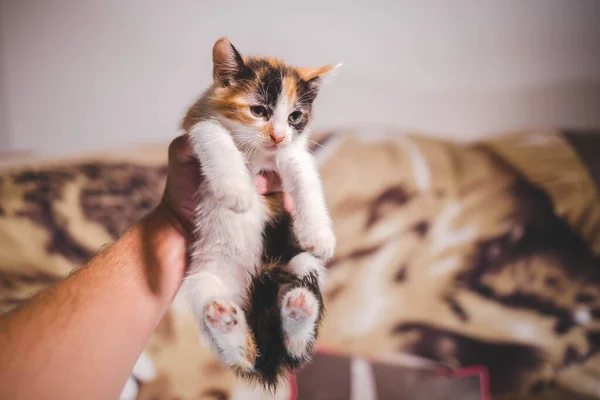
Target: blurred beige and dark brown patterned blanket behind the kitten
(466,254)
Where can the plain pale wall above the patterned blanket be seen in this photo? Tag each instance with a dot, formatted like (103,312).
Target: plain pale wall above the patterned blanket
(85,74)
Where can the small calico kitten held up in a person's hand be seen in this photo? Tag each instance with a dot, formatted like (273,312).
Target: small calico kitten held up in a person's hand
(256,273)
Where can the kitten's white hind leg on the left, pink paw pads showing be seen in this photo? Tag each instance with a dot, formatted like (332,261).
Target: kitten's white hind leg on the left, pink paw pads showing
(222,318)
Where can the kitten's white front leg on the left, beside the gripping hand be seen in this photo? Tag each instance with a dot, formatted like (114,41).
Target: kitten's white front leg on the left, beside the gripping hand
(223,165)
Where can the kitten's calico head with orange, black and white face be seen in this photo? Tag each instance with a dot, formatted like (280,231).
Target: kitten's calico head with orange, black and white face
(266,103)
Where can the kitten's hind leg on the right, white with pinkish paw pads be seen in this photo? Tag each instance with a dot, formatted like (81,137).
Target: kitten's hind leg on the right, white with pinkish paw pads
(300,307)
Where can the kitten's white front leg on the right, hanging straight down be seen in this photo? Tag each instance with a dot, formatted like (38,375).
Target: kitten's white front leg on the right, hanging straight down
(312,223)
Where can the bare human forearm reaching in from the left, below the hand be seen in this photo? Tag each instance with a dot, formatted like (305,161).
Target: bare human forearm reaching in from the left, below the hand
(81,338)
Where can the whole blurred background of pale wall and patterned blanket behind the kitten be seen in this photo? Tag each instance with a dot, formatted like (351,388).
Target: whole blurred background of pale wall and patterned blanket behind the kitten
(478,259)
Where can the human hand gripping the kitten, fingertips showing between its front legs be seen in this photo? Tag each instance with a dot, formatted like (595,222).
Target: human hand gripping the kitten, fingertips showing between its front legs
(184,178)
